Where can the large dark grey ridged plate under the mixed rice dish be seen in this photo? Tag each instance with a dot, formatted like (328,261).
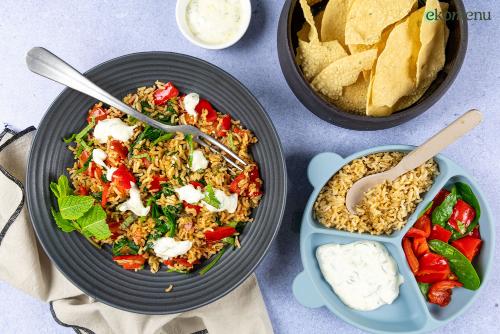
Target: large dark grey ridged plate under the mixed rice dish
(92,269)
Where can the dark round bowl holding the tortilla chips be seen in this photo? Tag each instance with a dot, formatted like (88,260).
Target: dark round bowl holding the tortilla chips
(291,21)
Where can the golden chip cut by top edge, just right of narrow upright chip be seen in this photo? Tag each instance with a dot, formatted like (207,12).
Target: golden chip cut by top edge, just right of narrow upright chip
(334,20)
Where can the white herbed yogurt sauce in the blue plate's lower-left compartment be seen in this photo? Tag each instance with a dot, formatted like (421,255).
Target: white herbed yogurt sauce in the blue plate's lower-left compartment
(362,274)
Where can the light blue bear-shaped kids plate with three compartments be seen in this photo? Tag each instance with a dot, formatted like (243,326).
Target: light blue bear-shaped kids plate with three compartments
(409,313)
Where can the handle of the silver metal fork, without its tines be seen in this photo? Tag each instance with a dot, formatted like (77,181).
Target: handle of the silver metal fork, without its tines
(45,63)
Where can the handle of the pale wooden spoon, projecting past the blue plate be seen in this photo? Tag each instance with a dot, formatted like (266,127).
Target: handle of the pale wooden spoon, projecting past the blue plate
(438,142)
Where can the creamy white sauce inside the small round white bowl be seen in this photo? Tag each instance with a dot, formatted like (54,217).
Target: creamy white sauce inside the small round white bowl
(214,21)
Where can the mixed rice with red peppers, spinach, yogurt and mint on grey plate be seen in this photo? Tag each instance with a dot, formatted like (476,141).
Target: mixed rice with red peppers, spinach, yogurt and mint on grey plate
(167,200)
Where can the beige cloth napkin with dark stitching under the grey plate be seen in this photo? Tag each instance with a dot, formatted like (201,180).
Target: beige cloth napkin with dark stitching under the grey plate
(24,265)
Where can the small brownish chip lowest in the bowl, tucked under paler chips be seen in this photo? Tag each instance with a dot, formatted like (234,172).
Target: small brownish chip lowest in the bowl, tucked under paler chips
(353,98)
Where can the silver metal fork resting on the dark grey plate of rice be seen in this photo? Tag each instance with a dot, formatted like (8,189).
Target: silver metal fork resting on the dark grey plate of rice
(43,62)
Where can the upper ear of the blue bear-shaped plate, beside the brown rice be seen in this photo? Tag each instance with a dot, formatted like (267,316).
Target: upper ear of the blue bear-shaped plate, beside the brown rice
(322,167)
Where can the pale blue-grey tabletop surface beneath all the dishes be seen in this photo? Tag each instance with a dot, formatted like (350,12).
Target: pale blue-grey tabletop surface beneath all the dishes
(87,33)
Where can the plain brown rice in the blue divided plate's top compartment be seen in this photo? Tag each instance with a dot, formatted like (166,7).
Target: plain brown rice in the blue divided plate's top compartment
(386,207)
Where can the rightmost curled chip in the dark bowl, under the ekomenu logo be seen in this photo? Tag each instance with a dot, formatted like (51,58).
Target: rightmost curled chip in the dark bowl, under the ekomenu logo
(431,57)
